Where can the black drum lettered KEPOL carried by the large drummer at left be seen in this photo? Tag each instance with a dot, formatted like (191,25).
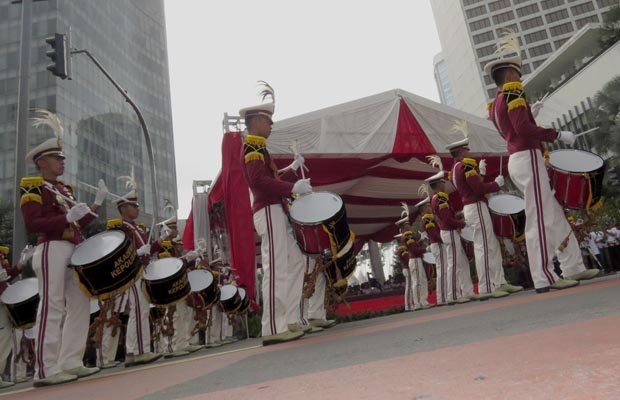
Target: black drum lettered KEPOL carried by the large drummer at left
(106,264)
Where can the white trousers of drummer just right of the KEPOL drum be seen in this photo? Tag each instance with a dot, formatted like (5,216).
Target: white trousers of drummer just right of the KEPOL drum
(138,340)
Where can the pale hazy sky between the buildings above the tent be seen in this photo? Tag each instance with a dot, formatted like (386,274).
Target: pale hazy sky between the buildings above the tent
(314,53)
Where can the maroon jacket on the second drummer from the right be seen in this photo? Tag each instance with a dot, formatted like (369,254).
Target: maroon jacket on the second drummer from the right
(470,185)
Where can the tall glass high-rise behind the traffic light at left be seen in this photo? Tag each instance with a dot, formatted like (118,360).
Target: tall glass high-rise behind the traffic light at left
(102,135)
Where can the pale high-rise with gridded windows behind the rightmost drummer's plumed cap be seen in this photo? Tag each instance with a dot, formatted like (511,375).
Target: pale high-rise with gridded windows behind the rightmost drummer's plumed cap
(469,29)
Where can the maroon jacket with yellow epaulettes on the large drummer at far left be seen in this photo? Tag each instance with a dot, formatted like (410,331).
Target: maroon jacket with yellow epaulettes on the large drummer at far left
(45,213)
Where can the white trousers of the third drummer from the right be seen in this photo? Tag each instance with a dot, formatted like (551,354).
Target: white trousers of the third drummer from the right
(458,276)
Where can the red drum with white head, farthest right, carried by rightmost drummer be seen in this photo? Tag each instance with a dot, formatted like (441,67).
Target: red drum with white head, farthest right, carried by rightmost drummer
(577,178)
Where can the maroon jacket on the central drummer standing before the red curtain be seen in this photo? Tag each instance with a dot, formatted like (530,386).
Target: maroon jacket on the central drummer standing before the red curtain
(262,175)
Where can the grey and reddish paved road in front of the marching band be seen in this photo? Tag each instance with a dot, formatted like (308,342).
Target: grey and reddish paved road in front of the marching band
(558,345)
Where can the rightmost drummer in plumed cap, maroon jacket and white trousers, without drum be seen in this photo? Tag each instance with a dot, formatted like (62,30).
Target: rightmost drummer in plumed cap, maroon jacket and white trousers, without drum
(546,227)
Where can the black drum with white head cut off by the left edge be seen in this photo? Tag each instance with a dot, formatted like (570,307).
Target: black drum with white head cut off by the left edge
(21,300)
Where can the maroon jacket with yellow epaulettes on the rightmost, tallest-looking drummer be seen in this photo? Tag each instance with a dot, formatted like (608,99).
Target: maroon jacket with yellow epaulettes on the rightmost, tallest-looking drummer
(513,118)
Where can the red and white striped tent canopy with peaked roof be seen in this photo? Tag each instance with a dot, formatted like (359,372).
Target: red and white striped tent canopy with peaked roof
(372,152)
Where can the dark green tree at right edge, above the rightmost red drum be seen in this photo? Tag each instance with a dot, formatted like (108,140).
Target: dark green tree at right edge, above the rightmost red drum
(606,115)
